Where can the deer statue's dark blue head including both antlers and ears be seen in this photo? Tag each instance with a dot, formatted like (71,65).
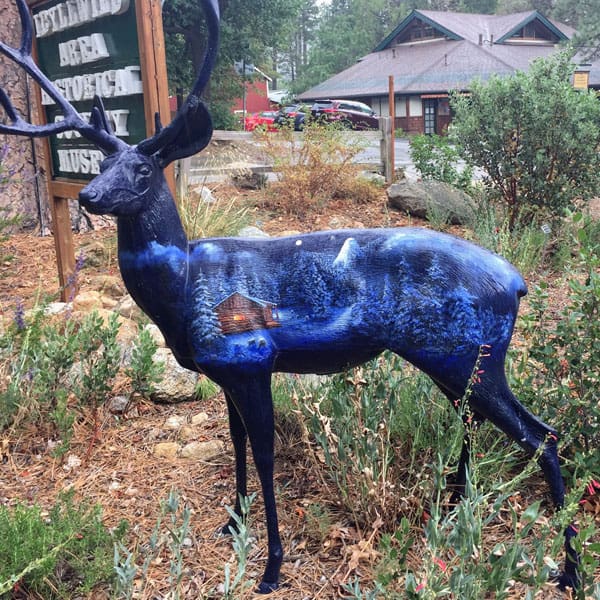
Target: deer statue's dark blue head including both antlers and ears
(130,175)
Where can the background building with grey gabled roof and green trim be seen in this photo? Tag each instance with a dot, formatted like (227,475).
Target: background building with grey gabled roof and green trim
(432,52)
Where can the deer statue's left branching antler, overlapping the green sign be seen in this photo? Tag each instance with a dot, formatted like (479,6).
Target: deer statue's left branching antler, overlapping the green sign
(96,132)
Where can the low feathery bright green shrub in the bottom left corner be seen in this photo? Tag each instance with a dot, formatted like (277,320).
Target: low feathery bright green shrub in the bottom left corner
(55,555)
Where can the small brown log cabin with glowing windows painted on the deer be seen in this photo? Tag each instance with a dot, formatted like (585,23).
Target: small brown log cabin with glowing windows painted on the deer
(239,313)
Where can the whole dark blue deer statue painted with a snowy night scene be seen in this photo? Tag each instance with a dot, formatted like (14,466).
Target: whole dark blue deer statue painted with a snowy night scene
(239,309)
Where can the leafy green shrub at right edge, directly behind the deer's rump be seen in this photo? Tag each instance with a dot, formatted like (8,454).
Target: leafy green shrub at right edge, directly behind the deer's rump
(560,374)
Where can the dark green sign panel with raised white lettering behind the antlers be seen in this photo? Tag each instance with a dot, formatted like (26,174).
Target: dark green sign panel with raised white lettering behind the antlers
(87,49)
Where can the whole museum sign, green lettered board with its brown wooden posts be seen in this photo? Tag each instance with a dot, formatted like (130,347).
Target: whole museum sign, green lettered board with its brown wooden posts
(87,48)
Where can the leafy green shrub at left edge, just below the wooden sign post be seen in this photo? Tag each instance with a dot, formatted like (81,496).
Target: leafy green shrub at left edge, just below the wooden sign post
(43,361)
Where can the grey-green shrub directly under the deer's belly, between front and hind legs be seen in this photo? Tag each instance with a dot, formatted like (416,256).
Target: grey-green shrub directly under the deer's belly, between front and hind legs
(372,426)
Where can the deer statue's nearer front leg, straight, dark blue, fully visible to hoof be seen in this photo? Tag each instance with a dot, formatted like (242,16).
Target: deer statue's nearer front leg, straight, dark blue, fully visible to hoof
(252,398)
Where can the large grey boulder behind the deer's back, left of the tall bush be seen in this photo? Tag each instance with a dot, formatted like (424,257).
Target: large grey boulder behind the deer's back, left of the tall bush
(432,200)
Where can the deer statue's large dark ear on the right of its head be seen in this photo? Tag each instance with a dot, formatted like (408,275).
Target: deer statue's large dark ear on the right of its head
(188,133)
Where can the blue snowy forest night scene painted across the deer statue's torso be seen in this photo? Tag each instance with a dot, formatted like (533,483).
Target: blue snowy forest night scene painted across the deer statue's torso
(324,301)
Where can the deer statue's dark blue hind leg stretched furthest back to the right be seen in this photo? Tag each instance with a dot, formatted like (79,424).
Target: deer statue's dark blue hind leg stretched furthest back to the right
(504,410)
